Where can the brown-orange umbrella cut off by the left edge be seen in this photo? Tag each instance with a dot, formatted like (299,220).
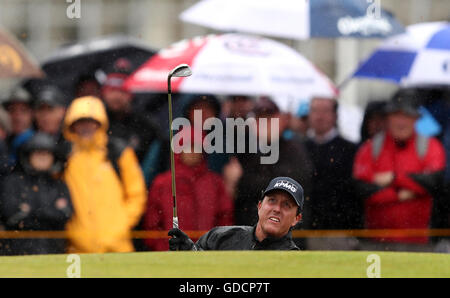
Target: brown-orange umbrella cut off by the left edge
(15,61)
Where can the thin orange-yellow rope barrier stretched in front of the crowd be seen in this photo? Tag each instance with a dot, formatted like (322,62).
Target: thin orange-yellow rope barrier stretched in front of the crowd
(373,233)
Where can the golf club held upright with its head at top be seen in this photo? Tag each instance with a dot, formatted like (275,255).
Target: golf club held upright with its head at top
(182,70)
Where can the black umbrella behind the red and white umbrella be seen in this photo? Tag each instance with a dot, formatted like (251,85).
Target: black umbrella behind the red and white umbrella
(70,62)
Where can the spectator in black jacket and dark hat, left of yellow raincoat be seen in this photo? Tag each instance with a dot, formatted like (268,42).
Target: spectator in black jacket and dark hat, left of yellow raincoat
(32,200)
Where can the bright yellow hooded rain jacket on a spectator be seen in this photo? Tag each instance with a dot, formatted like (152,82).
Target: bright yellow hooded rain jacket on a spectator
(106,207)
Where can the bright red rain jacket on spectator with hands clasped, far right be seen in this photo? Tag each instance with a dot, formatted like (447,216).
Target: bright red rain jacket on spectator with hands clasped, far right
(383,209)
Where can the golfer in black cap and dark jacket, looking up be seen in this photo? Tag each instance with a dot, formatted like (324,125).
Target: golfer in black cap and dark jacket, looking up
(279,210)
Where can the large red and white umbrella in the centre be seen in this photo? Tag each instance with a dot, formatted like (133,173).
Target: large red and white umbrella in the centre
(231,64)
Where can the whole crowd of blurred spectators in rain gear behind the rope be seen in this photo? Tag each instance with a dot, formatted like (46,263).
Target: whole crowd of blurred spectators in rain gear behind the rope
(97,166)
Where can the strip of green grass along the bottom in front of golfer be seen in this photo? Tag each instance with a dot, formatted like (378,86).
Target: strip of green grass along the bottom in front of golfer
(245,264)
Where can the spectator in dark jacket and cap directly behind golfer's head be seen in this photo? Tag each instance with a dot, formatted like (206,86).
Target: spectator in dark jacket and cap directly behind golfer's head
(293,161)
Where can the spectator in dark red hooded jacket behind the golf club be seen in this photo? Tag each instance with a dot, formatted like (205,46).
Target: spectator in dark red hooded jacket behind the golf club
(202,201)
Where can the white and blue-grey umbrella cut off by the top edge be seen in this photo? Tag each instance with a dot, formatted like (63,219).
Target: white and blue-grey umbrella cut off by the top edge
(295,19)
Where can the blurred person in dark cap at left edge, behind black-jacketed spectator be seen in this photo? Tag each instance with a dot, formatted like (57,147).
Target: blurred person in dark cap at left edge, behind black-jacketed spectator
(18,106)
